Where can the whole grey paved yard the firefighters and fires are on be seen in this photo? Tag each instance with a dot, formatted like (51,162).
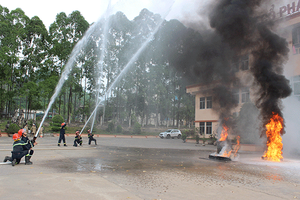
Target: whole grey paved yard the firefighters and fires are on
(144,168)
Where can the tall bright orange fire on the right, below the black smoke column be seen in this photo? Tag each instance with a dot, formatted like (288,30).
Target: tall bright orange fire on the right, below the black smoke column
(274,144)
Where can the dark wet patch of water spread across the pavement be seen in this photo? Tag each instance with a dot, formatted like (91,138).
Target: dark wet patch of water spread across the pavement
(140,160)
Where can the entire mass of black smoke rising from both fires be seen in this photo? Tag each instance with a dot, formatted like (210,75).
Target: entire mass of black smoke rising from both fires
(240,27)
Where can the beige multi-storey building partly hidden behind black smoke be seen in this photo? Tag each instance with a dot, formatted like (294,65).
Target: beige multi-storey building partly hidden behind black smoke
(288,19)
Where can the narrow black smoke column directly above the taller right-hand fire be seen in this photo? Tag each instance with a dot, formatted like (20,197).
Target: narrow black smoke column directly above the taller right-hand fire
(267,70)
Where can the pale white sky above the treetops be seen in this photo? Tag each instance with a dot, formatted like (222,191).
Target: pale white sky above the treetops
(92,10)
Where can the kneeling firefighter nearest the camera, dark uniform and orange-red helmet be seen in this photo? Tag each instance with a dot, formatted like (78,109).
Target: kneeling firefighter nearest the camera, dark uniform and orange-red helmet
(19,150)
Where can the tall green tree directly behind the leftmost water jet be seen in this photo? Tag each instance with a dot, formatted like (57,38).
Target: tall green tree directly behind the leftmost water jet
(65,32)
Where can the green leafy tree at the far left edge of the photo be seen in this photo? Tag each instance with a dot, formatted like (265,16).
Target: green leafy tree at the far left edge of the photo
(12,31)
